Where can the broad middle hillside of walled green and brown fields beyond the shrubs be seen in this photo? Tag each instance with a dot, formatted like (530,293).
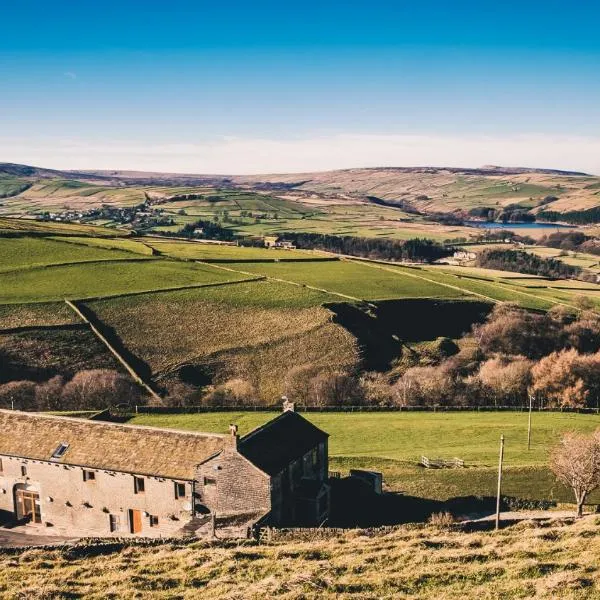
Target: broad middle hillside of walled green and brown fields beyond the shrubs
(265,322)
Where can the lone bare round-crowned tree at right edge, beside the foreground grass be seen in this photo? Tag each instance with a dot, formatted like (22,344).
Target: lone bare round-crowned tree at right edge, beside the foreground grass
(576,462)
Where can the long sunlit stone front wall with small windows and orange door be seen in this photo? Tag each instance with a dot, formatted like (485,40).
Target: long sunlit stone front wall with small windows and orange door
(73,506)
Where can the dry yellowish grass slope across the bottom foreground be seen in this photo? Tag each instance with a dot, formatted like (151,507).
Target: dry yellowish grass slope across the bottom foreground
(555,560)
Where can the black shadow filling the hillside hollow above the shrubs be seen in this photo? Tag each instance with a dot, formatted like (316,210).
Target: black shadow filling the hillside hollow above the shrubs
(383,326)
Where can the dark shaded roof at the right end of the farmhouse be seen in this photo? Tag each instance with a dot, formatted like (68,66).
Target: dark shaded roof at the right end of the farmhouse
(279,442)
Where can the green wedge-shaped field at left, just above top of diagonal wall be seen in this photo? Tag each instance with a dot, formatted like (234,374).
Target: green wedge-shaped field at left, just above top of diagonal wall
(104,279)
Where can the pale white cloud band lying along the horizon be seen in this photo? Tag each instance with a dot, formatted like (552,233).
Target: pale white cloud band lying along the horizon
(236,155)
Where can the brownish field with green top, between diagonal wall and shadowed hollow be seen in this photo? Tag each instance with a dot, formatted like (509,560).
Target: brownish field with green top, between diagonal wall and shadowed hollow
(274,326)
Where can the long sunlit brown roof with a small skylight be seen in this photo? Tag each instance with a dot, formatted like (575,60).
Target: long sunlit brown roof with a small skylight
(113,447)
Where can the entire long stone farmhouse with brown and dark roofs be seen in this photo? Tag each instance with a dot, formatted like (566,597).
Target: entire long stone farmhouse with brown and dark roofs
(84,477)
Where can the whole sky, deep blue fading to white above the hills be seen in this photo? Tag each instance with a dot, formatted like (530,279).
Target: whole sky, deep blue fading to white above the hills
(261,86)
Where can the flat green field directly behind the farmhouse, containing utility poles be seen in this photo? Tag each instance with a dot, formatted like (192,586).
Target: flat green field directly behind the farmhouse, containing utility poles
(394,442)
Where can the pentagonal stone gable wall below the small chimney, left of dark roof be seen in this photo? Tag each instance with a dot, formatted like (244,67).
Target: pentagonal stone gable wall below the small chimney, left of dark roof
(229,484)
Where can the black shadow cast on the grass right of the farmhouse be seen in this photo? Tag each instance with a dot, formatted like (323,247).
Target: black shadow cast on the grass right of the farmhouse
(354,504)
